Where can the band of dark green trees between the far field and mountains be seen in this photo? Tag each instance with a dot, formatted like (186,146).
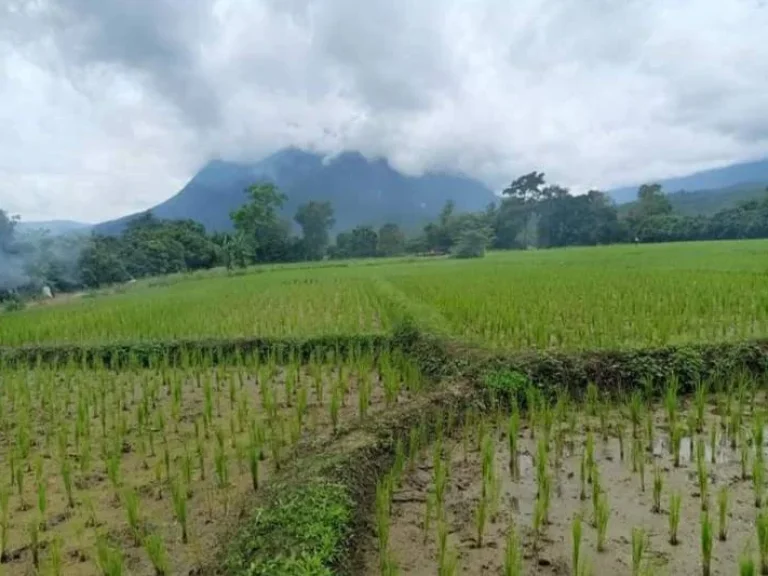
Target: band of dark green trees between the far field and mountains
(530,214)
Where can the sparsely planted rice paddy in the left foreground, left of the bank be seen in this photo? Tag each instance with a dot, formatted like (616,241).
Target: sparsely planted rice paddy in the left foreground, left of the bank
(143,468)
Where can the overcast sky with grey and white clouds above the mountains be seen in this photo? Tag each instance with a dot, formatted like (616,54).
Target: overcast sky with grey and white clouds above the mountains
(109,106)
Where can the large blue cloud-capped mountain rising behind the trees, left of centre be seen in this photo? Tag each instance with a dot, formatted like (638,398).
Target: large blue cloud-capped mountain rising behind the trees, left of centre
(362,191)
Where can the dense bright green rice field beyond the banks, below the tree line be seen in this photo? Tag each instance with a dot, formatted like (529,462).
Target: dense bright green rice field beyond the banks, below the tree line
(574,298)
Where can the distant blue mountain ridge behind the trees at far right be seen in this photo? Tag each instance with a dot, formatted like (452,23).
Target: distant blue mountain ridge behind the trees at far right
(729,178)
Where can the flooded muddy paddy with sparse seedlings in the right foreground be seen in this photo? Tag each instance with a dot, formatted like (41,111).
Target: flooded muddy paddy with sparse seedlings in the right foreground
(592,486)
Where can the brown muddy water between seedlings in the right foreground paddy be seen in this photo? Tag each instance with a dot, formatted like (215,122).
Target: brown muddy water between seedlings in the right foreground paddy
(630,507)
